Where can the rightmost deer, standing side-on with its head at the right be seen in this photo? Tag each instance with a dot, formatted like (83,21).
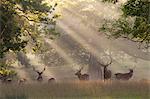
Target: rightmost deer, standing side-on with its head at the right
(124,76)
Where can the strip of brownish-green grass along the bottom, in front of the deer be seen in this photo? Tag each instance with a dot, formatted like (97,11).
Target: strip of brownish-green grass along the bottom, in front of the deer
(77,90)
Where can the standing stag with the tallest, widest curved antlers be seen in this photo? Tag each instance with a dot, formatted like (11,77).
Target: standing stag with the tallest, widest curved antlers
(107,72)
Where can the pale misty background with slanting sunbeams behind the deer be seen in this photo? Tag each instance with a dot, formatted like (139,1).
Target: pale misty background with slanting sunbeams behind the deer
(78,26)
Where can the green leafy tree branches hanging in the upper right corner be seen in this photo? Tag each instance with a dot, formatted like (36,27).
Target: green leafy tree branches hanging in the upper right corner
(134,24)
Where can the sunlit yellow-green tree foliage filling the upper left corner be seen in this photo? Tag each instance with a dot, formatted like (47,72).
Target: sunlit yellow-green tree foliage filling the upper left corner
(22,22)
